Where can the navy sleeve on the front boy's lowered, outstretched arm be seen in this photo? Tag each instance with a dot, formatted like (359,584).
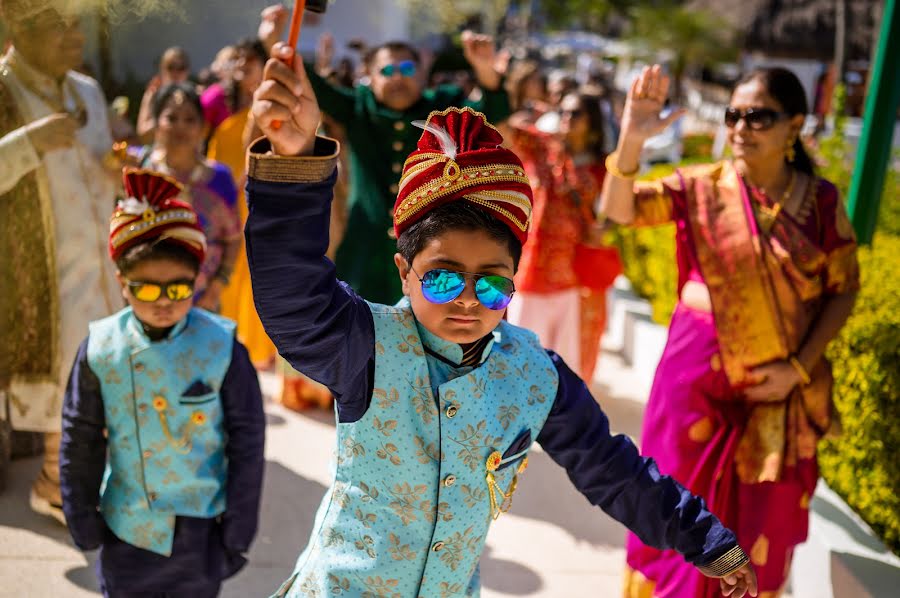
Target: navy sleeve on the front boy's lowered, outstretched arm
(610,472)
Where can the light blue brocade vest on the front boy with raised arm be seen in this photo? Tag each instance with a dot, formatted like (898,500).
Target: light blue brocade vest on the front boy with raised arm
(410,507)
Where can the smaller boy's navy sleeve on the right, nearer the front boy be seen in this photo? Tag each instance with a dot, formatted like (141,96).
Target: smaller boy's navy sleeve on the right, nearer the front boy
(245,425)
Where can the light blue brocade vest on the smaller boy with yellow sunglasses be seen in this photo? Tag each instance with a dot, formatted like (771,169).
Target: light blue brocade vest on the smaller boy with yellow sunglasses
(166,443)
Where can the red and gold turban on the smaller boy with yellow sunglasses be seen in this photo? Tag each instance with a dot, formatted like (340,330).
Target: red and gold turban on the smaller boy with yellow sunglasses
(151,212)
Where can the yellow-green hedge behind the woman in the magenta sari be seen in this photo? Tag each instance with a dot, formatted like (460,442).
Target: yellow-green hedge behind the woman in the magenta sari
(862,465)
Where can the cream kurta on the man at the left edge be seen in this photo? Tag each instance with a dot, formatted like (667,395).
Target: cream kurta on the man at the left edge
(80,196)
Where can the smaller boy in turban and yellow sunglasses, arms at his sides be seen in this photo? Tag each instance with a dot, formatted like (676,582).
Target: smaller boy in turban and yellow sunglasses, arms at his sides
(161,460)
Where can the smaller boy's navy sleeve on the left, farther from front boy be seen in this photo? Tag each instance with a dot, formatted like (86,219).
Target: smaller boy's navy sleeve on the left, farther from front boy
(82,456)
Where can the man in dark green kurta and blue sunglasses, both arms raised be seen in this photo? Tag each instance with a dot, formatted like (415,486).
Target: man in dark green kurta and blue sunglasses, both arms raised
(377,119)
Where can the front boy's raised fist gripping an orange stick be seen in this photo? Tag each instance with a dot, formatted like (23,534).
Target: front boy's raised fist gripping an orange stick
(285,107)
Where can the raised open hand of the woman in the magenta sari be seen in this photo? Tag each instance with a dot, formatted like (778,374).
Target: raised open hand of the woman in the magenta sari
(646,98)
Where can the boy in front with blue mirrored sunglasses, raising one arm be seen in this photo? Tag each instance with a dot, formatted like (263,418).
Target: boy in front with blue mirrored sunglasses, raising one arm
(438,399)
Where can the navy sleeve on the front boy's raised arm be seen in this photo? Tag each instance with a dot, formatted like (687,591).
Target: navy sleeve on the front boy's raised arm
(320,325)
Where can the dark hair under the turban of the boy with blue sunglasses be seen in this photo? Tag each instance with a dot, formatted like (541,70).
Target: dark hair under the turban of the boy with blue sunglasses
(457,215)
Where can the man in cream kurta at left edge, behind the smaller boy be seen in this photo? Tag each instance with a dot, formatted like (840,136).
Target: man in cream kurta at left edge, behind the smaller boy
(55,155)
